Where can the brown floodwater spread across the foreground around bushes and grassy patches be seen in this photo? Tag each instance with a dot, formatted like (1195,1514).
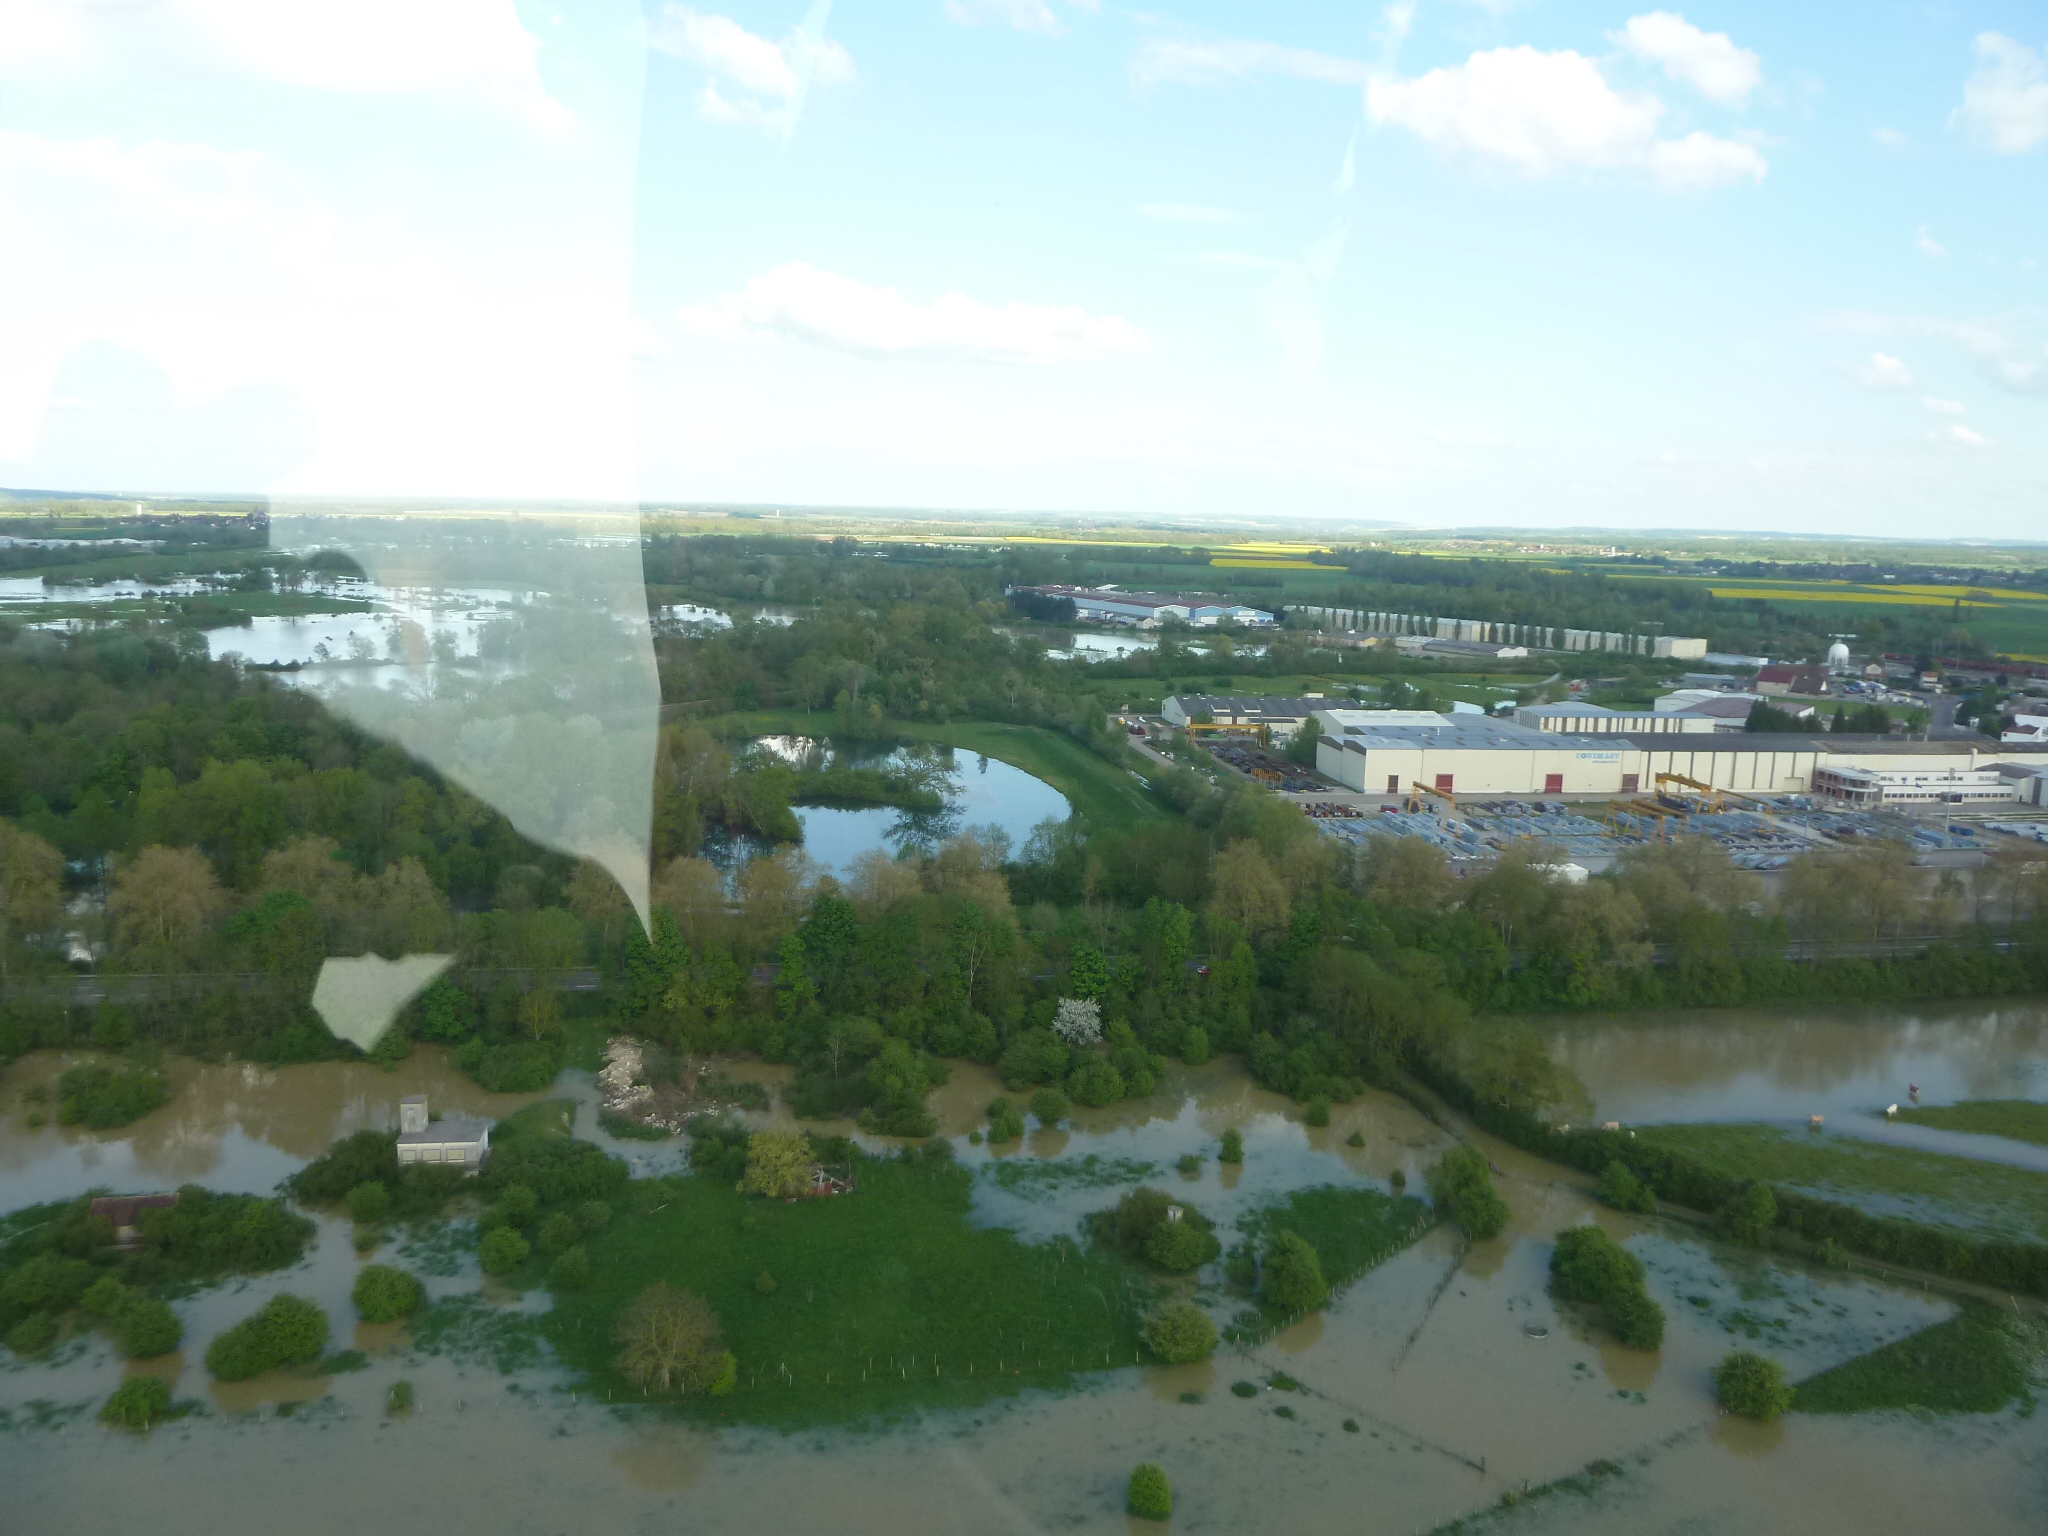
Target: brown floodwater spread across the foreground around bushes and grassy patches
(1435,1357)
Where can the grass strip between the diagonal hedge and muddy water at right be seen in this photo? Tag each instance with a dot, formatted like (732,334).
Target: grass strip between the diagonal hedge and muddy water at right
(1957,1193)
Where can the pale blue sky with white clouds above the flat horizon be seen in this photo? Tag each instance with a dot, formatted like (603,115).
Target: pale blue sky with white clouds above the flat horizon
(1437,263)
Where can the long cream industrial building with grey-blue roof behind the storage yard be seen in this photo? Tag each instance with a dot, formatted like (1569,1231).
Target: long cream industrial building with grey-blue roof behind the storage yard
(1390,753)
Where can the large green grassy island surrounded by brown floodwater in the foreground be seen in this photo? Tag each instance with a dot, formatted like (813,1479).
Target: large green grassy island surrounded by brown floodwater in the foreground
(882,1302)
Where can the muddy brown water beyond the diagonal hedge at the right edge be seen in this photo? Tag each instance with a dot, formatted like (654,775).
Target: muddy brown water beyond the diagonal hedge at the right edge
(1783,1066)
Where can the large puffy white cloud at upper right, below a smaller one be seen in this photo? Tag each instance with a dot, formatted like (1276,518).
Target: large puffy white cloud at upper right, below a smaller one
(1547,114)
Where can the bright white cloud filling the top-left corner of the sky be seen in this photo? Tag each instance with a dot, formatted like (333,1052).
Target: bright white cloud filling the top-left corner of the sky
(382,48)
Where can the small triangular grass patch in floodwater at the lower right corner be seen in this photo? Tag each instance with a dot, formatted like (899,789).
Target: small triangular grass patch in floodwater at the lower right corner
(1975,1363)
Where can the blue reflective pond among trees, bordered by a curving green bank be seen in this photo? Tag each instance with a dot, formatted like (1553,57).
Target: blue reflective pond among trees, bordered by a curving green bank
(980,792)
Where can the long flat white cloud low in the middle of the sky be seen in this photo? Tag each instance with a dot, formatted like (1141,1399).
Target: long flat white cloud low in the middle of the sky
(804,304)
